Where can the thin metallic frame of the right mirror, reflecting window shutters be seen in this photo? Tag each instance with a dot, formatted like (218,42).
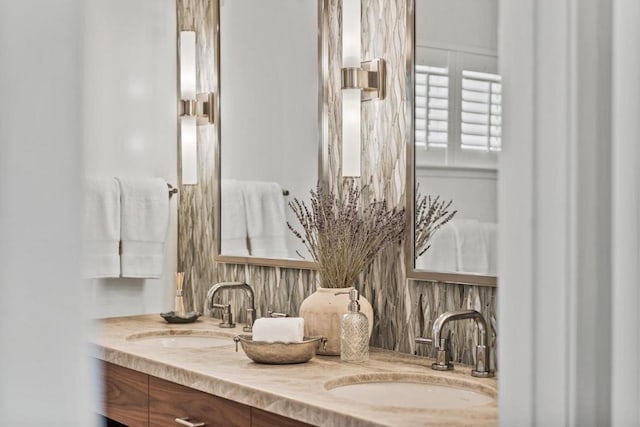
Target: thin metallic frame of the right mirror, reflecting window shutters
(410,194)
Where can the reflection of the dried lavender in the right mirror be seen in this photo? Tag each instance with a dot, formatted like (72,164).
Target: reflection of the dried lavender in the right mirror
(431,214)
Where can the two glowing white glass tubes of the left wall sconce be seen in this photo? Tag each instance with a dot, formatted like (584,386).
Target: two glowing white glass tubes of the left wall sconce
(188,130)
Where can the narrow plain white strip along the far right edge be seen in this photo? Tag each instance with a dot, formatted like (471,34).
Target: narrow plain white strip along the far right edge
(625,293)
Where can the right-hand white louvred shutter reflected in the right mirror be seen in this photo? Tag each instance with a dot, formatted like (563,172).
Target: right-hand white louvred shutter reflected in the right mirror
(481,112)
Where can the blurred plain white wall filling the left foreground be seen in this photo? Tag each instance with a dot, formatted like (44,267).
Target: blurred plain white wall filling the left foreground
(44,368)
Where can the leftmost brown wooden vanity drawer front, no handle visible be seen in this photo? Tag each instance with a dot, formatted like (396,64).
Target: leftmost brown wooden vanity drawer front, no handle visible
(124,395)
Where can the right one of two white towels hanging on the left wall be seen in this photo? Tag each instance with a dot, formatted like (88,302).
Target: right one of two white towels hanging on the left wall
(144,225)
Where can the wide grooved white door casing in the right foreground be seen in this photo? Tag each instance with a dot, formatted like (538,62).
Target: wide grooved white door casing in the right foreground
(556,262)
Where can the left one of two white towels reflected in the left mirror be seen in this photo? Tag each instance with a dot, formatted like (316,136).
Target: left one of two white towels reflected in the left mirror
(233,219)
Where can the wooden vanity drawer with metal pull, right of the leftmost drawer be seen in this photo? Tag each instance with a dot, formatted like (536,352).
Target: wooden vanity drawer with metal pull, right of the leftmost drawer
(168,401)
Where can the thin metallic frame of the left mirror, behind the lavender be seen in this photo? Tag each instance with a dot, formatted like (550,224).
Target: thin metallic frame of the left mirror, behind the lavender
(323,143)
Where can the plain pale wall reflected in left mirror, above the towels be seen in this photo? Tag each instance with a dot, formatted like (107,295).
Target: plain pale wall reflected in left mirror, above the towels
(269,96)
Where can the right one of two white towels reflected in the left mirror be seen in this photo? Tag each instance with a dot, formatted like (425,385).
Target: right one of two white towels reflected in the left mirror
(266,221)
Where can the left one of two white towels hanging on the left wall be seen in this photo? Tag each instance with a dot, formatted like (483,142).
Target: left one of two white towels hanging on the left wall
(102,228)
